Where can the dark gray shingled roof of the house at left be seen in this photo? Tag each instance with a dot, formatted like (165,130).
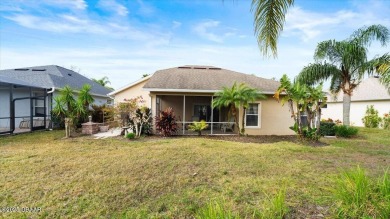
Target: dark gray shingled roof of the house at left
(53,76)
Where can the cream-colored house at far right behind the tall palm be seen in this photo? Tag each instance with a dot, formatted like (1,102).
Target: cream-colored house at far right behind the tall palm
(369,92)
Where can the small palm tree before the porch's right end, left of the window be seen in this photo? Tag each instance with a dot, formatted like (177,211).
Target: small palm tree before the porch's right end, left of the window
(239,95)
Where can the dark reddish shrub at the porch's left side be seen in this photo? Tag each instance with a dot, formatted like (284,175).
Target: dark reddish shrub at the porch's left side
(166,122)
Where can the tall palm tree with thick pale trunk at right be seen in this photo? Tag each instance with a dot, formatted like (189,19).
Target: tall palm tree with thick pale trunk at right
(345,63)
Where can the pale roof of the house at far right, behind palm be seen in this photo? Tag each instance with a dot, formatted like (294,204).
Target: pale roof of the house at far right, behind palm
(369,89)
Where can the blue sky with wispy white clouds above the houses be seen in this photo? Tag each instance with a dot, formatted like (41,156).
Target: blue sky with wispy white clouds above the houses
(126,39)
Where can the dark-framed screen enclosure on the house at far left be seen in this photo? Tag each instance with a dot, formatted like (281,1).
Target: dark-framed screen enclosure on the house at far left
(23,108)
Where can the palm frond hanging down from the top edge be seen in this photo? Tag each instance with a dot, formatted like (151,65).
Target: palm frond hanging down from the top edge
(269,17)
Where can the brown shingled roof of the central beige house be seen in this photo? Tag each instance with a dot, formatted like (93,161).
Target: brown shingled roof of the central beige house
(208,78)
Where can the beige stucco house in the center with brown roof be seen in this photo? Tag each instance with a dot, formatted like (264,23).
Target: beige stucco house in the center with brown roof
(190,90)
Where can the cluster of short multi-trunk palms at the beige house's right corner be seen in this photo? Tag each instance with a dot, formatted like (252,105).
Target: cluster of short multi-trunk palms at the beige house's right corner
(302,100)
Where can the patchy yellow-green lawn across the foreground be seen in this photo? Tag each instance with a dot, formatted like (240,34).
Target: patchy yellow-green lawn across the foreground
(180,177)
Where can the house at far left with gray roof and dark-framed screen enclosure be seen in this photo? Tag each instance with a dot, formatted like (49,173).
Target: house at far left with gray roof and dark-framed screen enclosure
(26,95)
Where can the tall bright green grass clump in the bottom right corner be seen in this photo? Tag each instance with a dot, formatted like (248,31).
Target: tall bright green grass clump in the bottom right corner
(358,196)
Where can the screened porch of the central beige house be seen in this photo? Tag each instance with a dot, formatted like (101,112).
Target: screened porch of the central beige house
(190,108)
